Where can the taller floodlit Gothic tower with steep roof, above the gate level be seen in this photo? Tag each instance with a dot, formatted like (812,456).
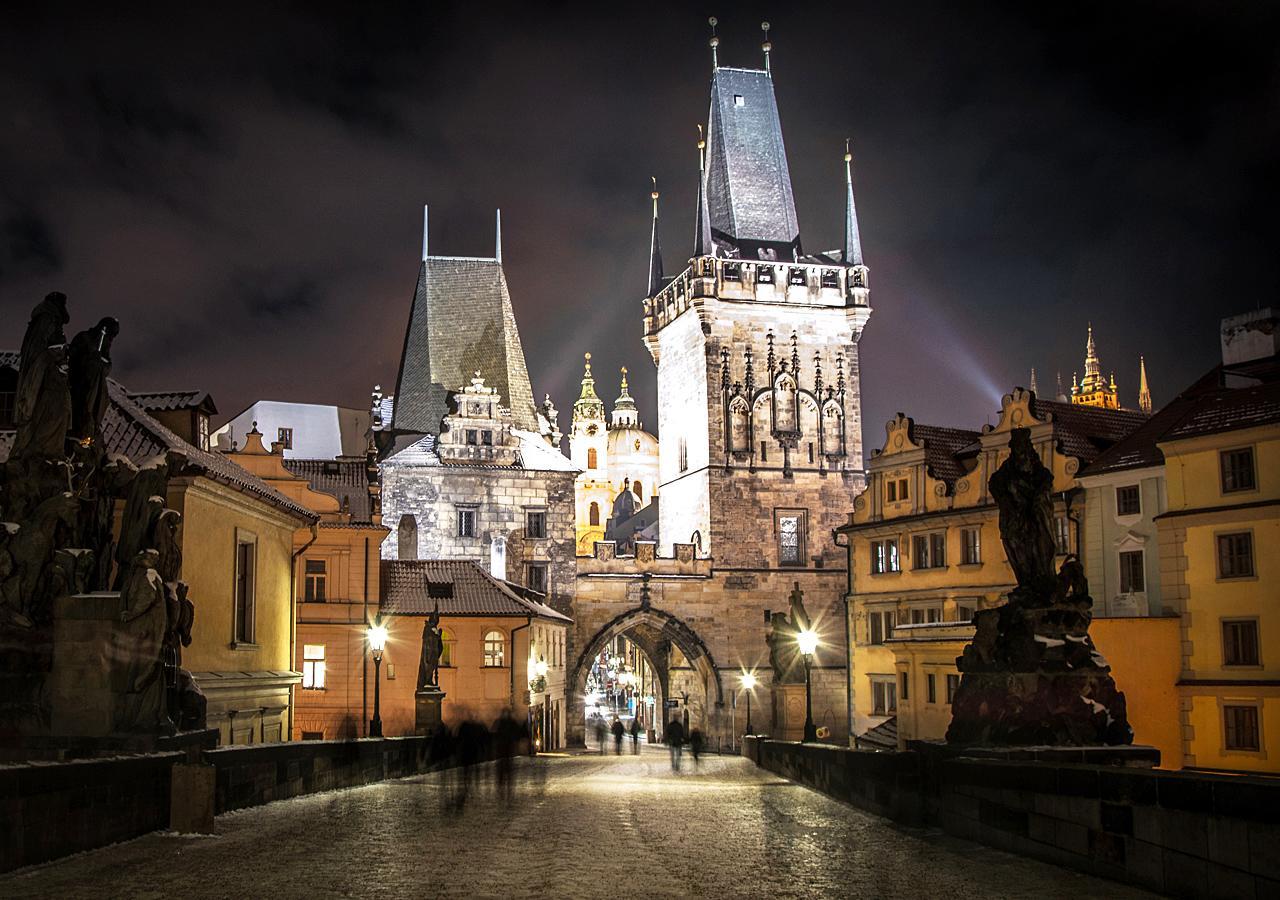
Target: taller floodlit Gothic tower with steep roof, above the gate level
(756,342)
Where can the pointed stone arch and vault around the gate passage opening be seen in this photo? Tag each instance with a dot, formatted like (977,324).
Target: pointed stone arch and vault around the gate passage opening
(650,629)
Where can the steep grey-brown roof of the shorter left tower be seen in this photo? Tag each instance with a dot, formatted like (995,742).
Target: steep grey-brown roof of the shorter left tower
(461,323)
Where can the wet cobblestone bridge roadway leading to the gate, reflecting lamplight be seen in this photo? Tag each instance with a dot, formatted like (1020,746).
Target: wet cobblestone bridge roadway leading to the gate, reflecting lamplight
(579,828)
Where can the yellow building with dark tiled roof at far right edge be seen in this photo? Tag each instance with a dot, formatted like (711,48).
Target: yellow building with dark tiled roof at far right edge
(1220,552)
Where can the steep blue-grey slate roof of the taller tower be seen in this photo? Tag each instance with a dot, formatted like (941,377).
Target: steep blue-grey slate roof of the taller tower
(749,194)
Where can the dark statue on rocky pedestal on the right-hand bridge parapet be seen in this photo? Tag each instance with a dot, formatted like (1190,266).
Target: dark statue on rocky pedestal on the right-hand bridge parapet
(1032,675)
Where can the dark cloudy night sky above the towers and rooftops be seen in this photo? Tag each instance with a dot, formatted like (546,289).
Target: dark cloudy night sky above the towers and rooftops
(244,188)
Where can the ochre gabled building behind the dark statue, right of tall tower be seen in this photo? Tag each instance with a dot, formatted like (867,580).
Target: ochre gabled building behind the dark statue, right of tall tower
(925,551)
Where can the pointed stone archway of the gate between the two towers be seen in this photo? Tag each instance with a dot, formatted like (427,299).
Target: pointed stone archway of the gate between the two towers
(683,666)
